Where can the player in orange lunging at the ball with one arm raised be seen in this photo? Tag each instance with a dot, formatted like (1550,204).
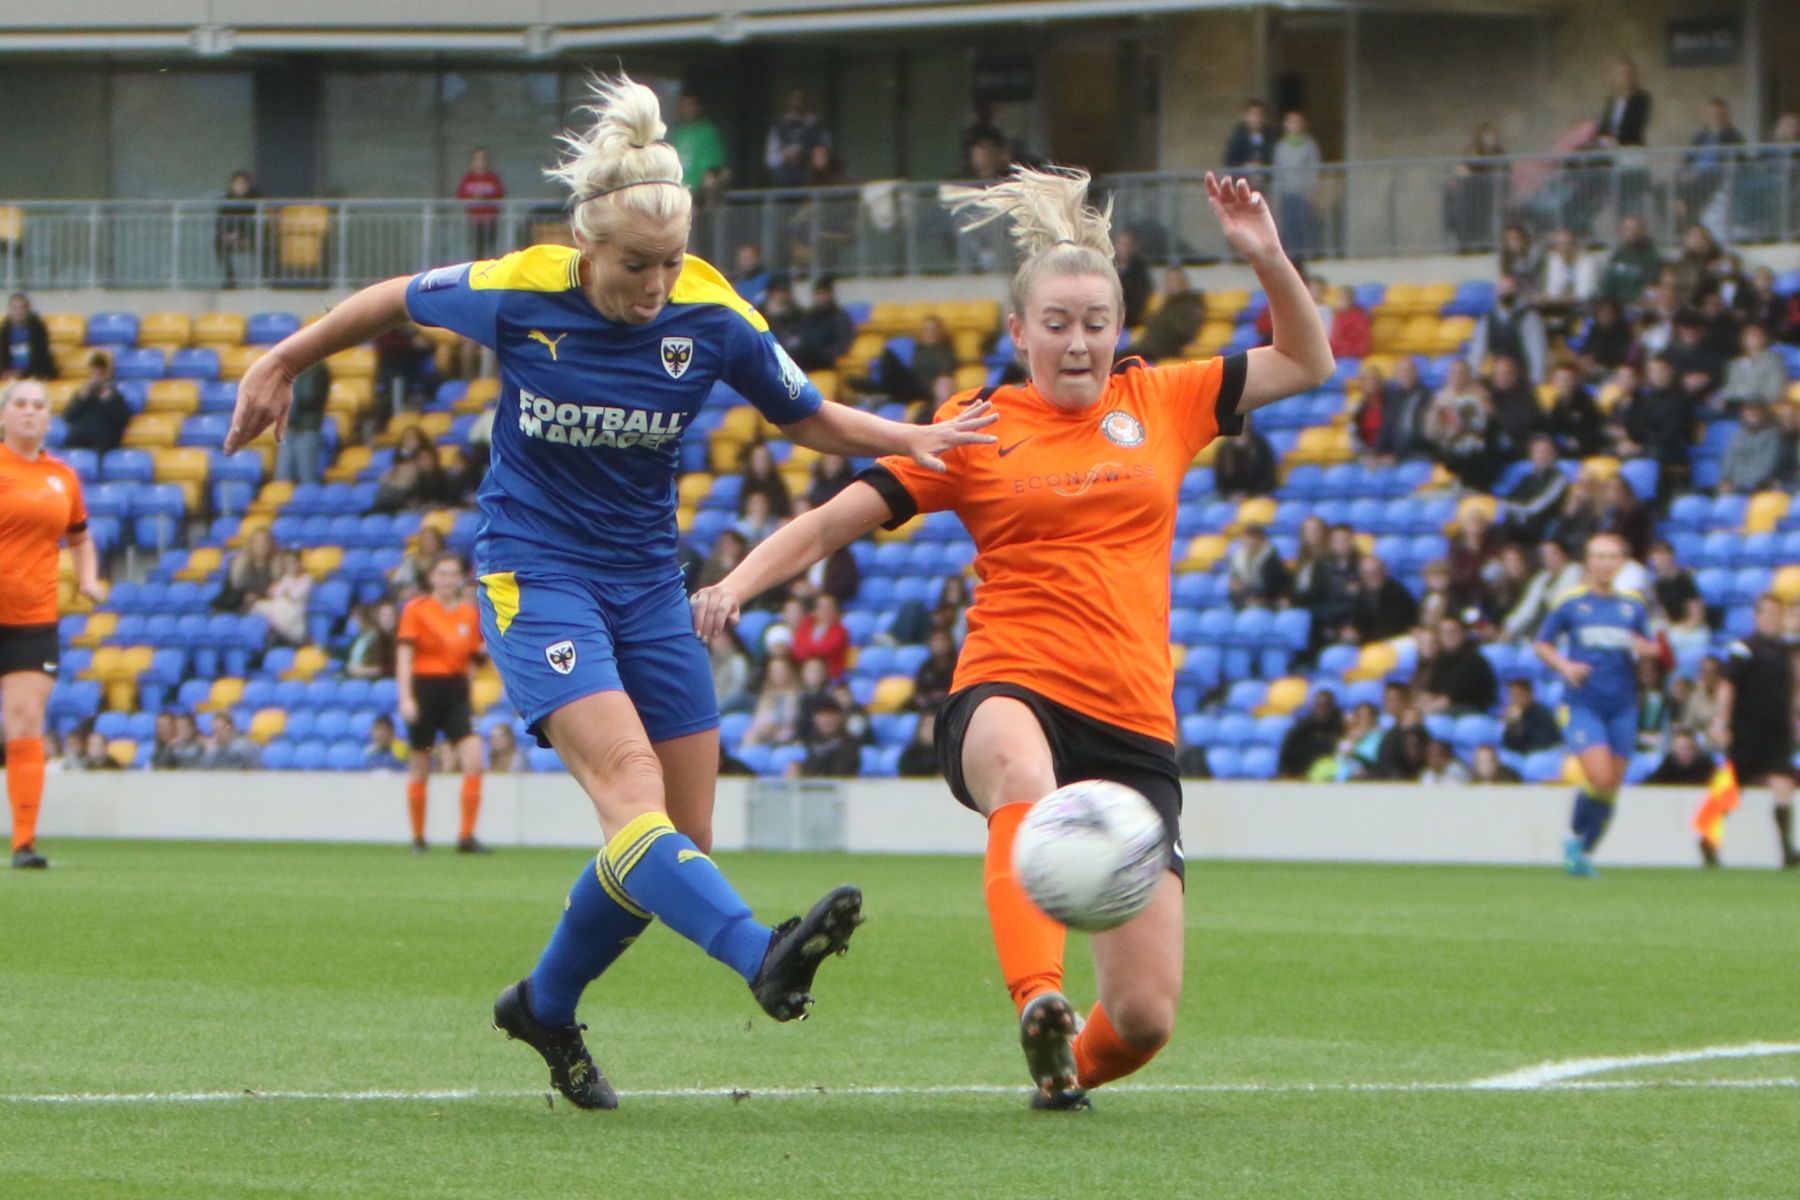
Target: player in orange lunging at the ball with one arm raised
(1066,670)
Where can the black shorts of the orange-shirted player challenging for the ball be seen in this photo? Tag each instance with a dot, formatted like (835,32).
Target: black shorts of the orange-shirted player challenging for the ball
(1081,748)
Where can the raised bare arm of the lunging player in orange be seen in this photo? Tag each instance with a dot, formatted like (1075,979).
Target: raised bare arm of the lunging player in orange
(1300,357)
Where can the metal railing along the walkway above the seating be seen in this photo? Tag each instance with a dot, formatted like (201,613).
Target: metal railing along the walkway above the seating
(1360,210)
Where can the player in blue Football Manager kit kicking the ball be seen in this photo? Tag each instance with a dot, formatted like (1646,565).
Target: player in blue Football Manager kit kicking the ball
(607,352)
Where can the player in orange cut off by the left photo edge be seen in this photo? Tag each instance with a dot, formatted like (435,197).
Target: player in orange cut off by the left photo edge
(40,508)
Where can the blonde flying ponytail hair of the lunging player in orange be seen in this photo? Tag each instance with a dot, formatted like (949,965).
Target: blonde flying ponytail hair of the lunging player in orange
(1050,220)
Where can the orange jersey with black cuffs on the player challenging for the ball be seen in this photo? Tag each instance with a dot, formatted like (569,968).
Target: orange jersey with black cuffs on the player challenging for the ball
(1074,515)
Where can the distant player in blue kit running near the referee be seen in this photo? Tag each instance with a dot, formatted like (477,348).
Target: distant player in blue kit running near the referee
(1603,634)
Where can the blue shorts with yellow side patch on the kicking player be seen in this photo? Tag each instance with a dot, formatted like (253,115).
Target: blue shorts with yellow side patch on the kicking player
(557,638)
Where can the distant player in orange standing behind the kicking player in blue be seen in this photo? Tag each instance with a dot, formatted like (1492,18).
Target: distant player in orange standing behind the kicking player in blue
(440,636)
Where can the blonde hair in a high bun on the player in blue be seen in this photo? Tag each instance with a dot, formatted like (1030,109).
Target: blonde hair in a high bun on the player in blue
(622,166)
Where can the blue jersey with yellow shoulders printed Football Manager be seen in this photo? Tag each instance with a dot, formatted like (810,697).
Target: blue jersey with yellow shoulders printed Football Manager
(591,411)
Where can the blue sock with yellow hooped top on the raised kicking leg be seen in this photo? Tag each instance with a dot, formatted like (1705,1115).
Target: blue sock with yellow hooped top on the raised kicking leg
(656,872)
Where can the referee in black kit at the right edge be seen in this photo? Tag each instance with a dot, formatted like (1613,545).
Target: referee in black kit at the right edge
(1756,717)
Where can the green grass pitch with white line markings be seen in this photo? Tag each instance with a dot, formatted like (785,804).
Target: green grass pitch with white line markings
(312,1021)
